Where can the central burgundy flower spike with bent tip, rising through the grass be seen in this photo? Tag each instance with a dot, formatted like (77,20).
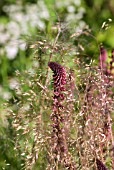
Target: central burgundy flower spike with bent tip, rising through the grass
(58,140)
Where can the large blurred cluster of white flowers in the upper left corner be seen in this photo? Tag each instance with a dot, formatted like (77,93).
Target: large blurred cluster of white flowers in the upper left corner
(21,22)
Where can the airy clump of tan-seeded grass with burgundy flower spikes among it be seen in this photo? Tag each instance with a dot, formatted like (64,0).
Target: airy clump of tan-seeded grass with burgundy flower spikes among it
(68,127)
